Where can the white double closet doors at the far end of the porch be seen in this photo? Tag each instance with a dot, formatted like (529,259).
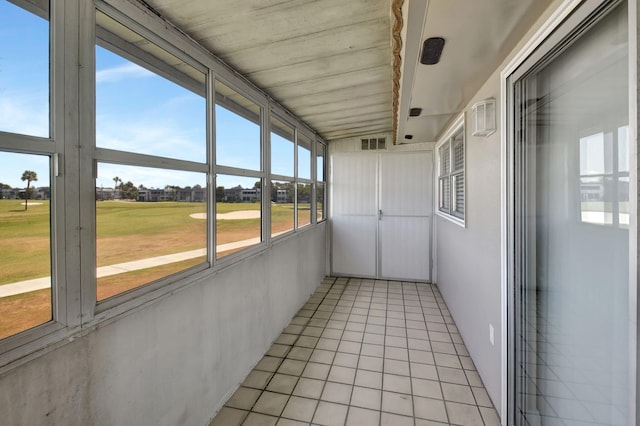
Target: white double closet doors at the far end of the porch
(381,208)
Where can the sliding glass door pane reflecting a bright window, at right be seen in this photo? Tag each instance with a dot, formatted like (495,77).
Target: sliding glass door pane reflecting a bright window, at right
(571,228)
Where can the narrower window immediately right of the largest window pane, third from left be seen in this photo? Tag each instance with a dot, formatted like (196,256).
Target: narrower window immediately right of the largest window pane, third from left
(239,172)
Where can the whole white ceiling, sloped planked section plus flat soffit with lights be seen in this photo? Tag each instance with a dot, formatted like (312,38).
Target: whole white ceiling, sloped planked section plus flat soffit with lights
(330,62)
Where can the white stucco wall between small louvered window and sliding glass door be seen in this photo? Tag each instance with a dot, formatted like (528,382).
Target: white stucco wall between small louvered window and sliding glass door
(468,260)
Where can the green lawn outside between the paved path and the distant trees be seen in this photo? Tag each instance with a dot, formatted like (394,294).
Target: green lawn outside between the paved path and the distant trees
(125,231)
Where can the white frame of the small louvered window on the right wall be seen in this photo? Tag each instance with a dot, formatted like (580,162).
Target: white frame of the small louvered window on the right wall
(451,175)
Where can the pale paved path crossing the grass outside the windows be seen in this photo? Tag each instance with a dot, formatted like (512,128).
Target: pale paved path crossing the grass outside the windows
(105,271)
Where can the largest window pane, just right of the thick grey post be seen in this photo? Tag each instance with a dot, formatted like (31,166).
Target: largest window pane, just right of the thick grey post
(151,186)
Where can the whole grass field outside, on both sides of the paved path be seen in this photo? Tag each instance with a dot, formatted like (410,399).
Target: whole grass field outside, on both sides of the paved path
(126,231)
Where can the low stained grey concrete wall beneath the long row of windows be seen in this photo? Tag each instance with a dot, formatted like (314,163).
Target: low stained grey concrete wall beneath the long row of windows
(176,361)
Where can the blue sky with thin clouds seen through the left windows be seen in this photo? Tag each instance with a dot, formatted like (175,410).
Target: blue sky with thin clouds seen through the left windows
(136,111)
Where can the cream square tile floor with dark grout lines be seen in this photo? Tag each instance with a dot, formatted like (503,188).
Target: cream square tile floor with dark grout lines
(364,352)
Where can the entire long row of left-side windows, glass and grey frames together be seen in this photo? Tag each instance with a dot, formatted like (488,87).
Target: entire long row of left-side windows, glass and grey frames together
(173,164)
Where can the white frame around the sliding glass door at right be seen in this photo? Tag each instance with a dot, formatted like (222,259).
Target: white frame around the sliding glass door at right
(568,23)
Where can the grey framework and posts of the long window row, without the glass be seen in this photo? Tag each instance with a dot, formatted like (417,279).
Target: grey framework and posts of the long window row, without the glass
(71,147)
